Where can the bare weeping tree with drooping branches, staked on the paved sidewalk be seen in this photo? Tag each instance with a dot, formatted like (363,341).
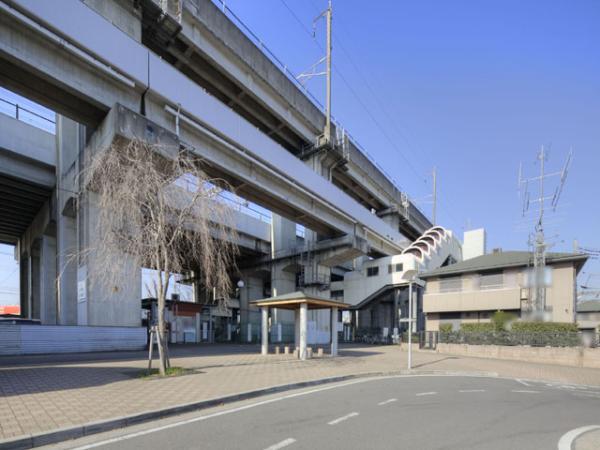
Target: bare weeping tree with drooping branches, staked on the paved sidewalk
(157,208)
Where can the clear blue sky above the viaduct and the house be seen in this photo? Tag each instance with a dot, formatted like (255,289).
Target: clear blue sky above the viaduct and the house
(473,88)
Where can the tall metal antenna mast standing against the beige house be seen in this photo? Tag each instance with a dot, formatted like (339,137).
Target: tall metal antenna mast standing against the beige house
(538,303)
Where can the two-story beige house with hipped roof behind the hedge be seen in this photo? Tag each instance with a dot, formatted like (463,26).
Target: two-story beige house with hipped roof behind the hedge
(472,290)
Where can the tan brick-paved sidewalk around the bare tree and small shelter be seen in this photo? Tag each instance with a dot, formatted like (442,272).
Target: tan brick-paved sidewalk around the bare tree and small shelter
(44,393)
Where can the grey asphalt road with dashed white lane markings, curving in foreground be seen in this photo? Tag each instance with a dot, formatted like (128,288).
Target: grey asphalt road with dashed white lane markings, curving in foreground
(423,412)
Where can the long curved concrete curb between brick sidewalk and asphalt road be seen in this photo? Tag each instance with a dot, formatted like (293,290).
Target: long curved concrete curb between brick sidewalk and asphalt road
(65,434)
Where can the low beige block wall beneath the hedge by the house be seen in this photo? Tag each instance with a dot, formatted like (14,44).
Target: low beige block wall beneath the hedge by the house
(563,356)
